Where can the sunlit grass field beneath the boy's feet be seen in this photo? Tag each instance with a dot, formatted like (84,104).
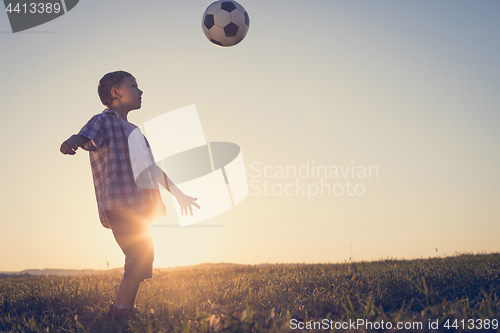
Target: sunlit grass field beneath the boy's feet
(274,298)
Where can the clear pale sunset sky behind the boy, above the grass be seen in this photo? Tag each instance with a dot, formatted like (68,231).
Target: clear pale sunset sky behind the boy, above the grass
(408,88)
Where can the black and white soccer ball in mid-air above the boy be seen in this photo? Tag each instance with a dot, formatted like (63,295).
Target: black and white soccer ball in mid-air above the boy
(225,23)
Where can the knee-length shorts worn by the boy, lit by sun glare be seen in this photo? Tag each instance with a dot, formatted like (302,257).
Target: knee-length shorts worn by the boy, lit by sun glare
(131,231)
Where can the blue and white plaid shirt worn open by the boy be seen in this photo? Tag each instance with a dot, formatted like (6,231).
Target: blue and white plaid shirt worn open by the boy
(115,186)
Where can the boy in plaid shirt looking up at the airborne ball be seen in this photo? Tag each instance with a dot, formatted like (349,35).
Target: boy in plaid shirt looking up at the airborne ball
(124,207)
